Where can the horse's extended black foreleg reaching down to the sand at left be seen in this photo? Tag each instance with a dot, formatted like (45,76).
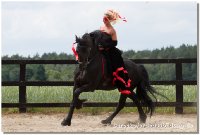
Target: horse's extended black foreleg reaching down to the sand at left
(76,93)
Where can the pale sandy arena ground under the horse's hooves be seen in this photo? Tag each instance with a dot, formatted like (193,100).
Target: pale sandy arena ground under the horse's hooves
(33,122)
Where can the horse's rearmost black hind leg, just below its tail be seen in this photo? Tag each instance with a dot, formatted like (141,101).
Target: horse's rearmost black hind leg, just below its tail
(142,115)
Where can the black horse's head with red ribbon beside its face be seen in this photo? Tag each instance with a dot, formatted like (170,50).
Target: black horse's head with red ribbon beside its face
(84,46)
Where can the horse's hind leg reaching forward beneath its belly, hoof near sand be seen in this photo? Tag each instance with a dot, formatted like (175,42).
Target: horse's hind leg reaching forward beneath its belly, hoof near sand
(120,106)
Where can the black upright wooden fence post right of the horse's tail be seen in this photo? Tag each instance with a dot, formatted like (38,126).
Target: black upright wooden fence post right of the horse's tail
(179,89)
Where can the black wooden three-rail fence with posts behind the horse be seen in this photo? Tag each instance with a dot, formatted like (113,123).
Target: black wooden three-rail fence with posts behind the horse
(22,83)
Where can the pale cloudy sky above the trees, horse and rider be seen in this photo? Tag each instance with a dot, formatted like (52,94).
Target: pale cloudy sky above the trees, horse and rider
(40,27)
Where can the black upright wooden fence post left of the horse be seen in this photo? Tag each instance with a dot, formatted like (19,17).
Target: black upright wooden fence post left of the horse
(22,88)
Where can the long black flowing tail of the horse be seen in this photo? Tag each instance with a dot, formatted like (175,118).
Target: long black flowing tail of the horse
(143,89)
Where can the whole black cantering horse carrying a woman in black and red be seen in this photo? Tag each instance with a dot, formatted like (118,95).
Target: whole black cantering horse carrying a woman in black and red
(90,77)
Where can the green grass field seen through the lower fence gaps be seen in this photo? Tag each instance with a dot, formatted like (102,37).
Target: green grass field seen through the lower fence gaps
(64,94)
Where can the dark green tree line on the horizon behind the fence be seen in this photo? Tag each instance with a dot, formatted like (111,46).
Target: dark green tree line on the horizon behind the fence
(60,72)
